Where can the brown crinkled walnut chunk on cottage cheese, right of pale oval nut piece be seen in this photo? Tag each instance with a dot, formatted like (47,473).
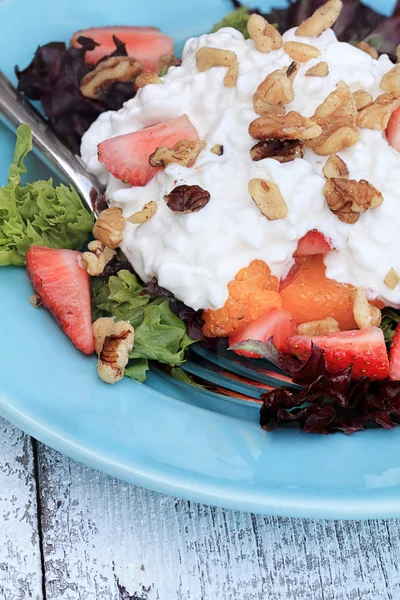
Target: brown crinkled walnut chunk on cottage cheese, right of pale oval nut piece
(348,198)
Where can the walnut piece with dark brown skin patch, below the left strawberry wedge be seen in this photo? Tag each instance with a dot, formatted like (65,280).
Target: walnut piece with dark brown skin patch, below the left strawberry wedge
(113,343)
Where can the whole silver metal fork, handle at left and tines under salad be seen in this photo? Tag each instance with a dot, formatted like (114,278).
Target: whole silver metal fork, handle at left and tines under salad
(223,372)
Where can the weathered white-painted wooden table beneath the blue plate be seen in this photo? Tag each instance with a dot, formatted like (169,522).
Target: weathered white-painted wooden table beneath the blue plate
(68,532)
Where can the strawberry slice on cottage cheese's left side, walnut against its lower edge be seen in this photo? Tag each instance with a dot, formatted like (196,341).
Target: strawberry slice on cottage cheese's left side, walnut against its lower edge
(127,156)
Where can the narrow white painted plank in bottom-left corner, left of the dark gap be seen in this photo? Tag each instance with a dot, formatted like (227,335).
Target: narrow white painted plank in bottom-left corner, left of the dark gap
(20,564)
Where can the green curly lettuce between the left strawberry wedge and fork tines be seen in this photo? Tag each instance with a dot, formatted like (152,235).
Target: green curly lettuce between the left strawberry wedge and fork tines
(159,334)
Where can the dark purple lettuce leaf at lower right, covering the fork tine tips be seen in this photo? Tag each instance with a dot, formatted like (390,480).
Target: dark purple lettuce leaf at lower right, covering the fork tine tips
(328,401)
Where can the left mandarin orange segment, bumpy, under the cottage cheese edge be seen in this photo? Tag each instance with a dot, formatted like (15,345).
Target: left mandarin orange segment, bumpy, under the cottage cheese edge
(252,294)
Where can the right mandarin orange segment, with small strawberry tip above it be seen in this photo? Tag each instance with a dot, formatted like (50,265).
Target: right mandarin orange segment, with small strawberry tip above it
(309,295)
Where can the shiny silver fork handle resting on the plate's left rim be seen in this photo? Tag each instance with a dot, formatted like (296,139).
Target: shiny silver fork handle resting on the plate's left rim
(15,110)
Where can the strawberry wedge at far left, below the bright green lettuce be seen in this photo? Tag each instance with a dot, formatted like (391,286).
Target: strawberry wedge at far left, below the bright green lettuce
(64,288)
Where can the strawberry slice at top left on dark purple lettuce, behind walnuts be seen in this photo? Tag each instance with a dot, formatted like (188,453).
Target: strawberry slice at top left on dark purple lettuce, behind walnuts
(146,44)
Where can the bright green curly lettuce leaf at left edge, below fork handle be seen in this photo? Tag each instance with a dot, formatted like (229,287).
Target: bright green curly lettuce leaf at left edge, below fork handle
(38,213)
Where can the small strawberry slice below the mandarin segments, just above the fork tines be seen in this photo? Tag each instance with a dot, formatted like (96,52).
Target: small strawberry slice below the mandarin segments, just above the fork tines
(277,323)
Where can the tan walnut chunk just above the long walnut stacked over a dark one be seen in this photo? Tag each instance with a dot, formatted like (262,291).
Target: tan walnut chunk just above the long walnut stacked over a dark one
(275,89)
